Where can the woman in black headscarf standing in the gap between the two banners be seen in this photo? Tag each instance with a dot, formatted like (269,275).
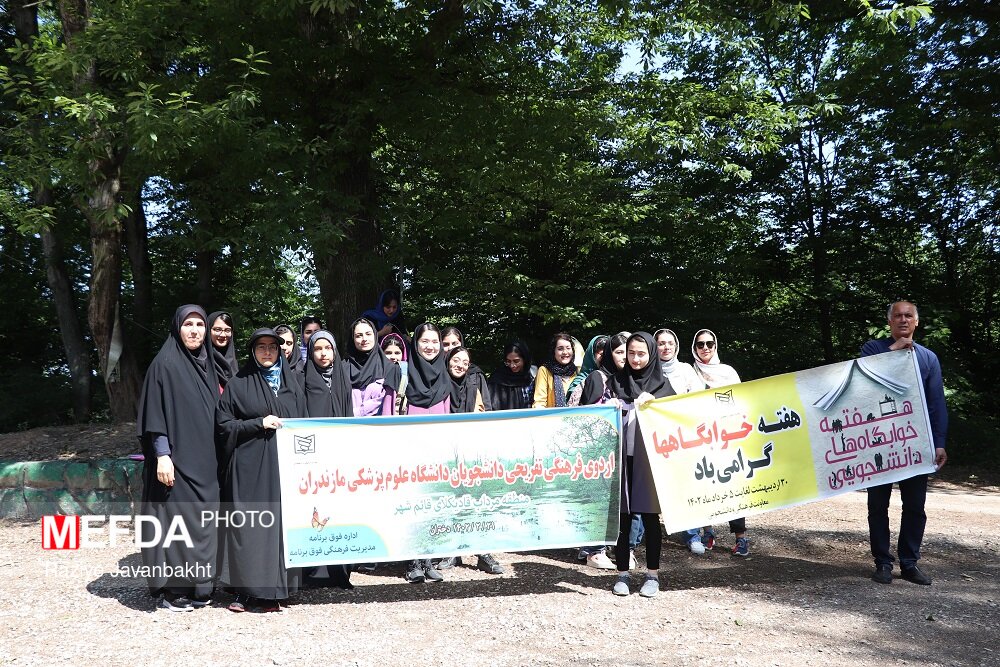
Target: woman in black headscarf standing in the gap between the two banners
(640,381)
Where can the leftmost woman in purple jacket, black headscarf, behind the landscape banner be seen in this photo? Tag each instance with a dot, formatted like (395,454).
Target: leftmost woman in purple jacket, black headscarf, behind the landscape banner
(375,380)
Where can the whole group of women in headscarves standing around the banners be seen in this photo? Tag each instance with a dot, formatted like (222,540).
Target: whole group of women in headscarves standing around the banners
(207,428)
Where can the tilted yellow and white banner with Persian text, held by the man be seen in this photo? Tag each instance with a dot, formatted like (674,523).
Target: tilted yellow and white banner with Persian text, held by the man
(763,445)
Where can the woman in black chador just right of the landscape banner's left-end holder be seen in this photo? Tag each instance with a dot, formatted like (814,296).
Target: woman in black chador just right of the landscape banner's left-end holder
(328,394)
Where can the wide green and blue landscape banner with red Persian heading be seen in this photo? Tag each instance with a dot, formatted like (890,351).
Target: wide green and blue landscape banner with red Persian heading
(361,490)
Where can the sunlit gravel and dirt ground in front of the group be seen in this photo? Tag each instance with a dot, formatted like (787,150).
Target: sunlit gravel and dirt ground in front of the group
(803,598)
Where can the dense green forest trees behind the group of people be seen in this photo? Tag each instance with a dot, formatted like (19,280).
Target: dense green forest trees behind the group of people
(775,171)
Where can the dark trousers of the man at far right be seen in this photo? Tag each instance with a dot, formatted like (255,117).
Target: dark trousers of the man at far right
(913,492)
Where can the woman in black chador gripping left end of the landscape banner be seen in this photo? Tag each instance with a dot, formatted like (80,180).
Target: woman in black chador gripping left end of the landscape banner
(251,408)
